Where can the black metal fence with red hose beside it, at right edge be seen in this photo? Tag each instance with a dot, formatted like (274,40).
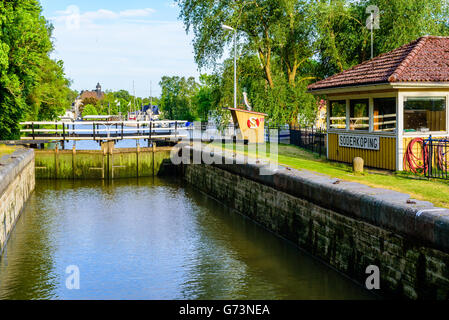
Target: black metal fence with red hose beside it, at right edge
(436,158)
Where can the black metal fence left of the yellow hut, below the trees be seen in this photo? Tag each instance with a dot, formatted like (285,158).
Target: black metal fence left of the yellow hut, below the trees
(309,138)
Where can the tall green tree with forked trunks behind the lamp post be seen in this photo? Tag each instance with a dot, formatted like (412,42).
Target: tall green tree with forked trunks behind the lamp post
(276,43)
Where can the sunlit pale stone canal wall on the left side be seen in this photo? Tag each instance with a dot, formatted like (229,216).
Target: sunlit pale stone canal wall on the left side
(17,181)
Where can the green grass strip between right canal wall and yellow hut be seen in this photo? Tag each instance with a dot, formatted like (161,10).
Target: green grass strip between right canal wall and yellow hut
(435,191)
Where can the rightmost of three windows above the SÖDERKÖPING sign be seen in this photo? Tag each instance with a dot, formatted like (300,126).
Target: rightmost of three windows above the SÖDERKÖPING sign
(384,114)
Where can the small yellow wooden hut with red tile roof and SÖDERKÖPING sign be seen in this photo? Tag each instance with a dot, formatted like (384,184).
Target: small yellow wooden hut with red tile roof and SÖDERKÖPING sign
(377,108)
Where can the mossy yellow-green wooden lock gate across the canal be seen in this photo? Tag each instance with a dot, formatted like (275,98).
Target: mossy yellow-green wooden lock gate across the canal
(108,163)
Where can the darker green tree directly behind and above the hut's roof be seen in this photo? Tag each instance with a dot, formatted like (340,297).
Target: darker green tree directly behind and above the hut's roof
(343,39)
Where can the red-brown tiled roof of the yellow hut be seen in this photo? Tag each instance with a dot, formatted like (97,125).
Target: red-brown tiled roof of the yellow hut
(425,59)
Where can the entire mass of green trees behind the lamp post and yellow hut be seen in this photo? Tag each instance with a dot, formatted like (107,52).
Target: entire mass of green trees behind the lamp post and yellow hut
(283,45)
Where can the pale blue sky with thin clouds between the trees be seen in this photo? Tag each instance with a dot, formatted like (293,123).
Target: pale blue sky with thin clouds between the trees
(118,42)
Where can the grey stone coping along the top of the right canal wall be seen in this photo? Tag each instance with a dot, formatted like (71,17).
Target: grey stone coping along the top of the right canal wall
(391,210)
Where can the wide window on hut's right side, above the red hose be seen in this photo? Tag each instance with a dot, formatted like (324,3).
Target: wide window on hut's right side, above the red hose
(423,114)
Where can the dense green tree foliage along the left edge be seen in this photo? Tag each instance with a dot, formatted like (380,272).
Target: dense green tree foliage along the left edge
(32,86)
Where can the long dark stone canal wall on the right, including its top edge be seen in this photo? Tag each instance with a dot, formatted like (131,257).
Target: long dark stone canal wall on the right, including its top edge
(347,225)
